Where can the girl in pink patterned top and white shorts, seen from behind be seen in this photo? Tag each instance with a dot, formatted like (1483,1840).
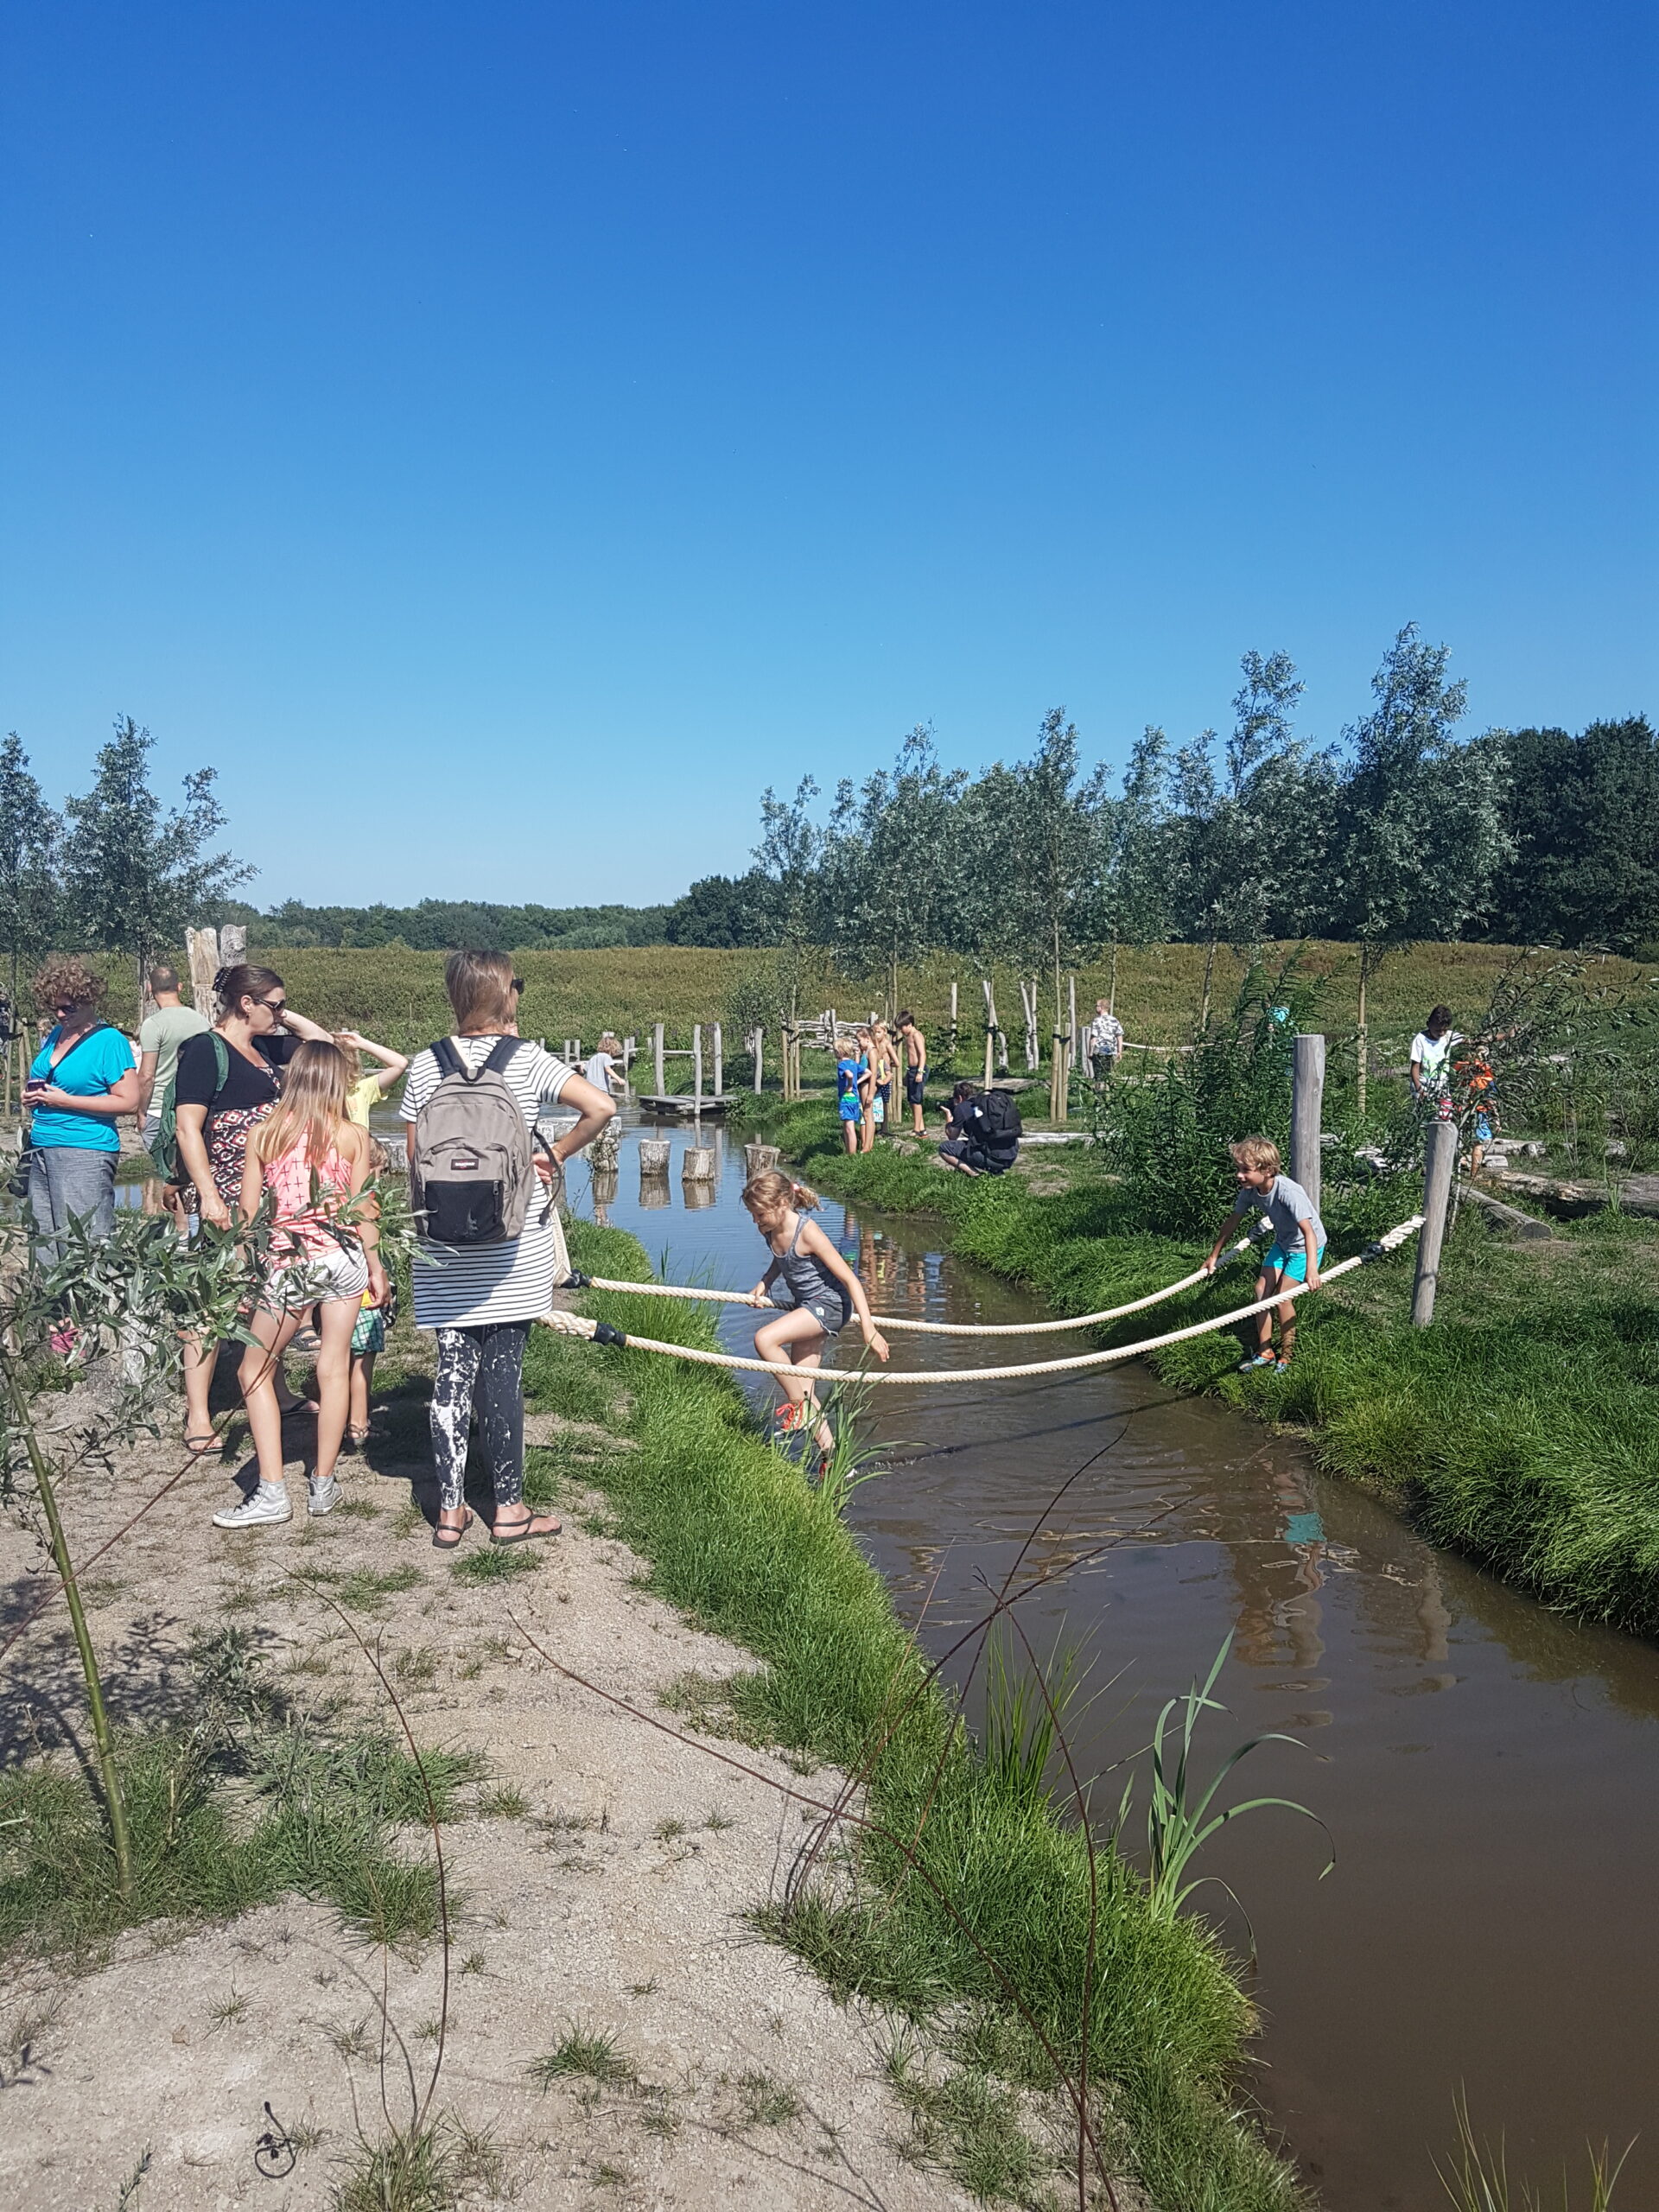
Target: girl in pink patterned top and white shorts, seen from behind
(311,1160)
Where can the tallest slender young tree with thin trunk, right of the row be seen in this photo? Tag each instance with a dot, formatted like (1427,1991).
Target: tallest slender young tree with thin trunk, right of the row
(1421,824)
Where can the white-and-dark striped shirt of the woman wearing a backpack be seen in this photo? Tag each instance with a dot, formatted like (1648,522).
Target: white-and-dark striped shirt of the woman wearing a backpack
(474,1286)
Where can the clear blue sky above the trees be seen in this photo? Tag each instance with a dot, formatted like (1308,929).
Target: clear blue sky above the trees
(503,439)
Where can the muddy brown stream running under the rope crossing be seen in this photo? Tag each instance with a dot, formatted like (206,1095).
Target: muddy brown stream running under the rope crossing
(1490,1773)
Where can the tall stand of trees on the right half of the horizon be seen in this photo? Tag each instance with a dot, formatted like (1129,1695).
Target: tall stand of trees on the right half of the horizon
(1401,831)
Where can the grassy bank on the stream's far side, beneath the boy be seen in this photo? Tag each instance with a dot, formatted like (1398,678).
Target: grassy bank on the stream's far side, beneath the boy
(1523,1428)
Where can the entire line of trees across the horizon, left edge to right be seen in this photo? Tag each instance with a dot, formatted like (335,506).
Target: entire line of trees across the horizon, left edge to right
(1404,828)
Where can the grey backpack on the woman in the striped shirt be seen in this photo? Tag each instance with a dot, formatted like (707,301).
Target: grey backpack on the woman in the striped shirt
(474,1171)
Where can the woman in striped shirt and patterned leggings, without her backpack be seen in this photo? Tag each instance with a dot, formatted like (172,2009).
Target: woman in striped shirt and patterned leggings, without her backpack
(483,1300)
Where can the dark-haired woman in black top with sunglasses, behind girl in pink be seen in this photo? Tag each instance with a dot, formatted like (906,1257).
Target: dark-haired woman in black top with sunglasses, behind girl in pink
(253,1039)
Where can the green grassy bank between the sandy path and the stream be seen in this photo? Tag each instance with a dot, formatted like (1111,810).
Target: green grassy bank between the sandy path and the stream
(733,1538)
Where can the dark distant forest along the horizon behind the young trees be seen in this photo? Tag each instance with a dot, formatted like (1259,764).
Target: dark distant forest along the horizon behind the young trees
(1569,855)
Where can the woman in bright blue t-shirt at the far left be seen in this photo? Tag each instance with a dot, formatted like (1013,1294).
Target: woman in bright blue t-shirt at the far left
(81,1081)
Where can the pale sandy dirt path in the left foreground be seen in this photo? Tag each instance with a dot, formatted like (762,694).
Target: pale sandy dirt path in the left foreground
(614,1903)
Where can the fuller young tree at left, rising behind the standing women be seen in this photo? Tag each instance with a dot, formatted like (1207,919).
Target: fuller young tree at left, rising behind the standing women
(138,877)
